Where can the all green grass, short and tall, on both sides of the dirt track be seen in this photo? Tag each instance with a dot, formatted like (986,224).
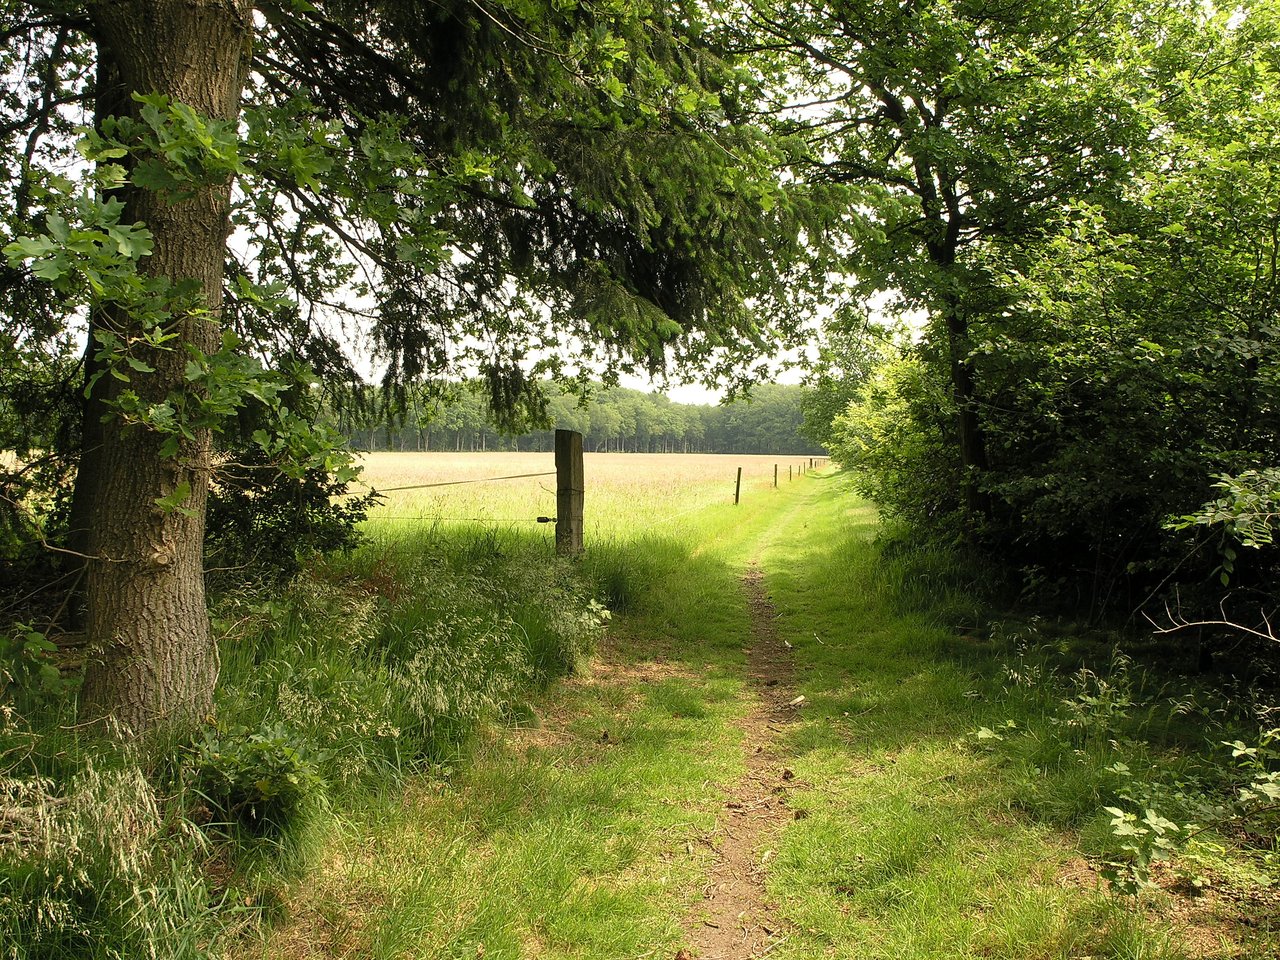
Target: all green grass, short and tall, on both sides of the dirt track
(460,801)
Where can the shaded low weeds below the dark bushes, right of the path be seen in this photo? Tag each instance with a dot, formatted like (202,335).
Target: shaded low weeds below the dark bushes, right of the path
(1171,780)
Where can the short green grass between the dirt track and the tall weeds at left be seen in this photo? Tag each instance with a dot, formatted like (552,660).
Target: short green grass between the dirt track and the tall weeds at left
(582,838)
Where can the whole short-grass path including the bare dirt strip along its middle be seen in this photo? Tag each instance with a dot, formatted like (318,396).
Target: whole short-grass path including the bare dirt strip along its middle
(675,799)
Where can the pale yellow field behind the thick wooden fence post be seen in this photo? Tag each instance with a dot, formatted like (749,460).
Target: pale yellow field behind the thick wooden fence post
(627,493)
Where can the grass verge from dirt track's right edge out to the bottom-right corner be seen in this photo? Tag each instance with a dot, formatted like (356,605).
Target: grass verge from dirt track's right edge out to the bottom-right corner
(920,840)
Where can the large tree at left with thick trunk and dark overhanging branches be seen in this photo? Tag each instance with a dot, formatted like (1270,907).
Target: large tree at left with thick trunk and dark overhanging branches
(504,185)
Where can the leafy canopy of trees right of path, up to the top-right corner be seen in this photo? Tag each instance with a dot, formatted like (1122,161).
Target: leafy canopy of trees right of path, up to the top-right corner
(1122,355)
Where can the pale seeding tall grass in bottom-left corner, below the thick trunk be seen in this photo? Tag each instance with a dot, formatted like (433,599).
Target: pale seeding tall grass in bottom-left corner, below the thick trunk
(94,867)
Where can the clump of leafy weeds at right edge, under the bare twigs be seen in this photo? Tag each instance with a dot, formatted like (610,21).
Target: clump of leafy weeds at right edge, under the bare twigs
(1146,772)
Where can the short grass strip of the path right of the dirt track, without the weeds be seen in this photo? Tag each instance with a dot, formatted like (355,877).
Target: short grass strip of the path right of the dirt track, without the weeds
(909,845)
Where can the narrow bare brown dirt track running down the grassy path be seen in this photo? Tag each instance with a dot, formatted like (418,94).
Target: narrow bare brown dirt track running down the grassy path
(735,920)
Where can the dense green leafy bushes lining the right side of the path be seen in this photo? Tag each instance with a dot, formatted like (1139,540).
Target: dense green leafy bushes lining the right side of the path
(1121,359)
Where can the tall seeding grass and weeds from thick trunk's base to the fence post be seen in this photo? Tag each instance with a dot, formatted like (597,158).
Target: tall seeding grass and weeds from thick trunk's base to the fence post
(362,671)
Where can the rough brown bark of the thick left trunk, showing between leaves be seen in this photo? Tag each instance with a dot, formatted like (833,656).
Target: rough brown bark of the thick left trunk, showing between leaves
(154,661)
